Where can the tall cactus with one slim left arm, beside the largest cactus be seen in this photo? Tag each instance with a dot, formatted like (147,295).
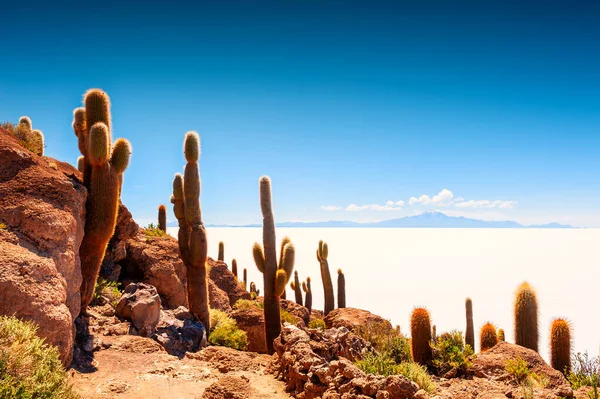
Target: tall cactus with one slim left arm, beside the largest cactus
(192,235)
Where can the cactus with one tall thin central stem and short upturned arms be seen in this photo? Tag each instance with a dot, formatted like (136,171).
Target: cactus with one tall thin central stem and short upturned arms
(275,276)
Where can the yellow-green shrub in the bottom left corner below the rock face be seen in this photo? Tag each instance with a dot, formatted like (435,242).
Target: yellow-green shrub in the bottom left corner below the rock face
(29,368)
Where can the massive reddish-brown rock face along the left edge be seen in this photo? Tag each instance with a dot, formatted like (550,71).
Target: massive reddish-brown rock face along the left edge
(42,216)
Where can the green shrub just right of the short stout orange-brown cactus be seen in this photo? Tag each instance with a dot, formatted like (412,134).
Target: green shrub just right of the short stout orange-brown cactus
(450,352)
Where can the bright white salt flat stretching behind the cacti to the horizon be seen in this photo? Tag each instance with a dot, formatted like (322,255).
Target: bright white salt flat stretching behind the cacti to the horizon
(389,271)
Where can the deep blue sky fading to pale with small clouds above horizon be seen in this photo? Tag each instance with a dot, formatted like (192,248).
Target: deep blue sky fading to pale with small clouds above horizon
(343,103)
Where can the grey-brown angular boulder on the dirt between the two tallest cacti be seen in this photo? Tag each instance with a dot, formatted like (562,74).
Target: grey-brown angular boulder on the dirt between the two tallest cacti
(140,303)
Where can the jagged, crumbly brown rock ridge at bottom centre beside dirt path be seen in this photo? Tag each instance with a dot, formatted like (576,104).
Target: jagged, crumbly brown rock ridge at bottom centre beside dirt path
(310,375)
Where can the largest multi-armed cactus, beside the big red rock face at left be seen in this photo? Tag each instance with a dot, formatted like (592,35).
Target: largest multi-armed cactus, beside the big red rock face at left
(104,182)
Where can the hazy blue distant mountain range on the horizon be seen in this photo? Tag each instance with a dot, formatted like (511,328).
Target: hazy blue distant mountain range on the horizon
(425,219)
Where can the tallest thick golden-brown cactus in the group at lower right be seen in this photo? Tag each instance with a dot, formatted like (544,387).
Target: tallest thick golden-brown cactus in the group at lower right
(526,317)
